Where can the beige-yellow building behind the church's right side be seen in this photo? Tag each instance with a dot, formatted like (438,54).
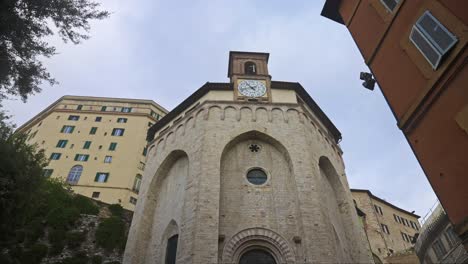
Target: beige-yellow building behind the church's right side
(390,230)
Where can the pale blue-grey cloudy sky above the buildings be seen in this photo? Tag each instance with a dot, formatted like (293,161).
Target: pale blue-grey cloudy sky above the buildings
(165,50)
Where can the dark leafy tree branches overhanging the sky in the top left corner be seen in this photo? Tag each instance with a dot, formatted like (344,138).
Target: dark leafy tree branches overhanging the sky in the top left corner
(23,26)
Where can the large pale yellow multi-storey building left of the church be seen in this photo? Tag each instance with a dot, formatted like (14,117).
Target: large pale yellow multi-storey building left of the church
(96,144)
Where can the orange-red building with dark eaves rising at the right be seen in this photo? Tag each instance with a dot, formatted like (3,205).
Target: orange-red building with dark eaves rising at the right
(416,50)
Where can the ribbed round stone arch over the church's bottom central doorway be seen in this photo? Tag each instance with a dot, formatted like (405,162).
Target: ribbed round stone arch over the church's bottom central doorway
(260,239)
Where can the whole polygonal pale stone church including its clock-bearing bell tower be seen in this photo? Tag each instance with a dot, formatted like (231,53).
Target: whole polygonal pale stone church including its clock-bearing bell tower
(248,171)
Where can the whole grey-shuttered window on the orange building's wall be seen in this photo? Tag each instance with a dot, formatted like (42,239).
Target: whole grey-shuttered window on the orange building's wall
(432,39)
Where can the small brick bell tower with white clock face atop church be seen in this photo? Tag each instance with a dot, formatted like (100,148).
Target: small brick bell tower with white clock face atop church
(248,72)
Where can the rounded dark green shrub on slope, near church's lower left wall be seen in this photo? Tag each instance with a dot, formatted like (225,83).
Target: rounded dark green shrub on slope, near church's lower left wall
(110,233)
